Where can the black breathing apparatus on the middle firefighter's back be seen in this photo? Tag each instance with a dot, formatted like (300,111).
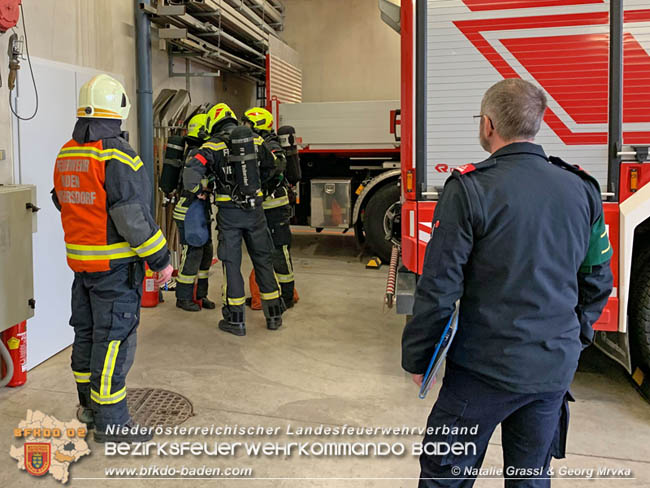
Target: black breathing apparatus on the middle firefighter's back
(240,168)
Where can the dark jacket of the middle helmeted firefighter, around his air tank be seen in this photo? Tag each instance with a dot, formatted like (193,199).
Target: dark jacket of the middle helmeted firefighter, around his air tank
(212,158)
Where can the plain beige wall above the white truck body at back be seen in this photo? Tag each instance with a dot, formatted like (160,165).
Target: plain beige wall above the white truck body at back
(346,50)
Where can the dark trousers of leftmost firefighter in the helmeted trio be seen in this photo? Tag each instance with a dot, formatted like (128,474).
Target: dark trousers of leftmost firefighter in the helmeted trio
(195,263)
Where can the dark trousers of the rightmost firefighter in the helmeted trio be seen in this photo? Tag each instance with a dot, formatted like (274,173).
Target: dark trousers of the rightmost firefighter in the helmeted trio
(278,220)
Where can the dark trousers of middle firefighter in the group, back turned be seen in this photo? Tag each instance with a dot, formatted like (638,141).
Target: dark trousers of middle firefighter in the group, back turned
(234,225)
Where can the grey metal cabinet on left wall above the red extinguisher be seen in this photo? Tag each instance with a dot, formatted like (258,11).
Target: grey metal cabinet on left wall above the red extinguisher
(17,213)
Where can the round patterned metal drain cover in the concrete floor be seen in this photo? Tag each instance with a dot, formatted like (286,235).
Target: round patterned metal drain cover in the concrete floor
(153,407)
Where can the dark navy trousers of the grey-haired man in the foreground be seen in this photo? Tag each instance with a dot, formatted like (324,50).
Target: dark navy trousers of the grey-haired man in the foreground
(533,429)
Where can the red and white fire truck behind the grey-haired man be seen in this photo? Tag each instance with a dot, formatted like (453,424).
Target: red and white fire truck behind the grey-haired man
(584,53)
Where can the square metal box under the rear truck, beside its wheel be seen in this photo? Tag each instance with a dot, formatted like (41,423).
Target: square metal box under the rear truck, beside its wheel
(331,203)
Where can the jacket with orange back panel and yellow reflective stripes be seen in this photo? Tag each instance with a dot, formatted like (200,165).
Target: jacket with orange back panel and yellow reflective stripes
(104,195)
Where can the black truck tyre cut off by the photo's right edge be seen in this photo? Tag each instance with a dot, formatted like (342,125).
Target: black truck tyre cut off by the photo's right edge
(640,314)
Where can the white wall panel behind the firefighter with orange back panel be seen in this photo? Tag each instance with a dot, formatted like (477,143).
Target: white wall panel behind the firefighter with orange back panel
(37,144)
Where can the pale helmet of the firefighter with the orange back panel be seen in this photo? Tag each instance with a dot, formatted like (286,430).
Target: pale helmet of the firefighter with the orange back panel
(103,97)
